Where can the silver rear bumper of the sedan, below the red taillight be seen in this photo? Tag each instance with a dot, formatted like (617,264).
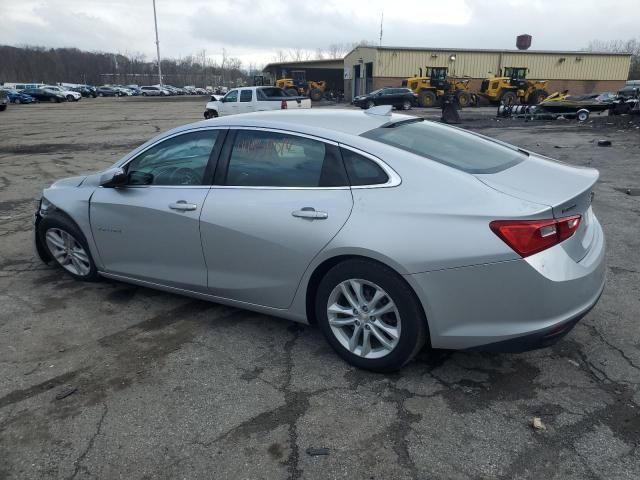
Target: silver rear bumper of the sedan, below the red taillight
(514,305)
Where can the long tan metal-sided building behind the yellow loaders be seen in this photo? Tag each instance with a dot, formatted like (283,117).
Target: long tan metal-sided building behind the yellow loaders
(370,68)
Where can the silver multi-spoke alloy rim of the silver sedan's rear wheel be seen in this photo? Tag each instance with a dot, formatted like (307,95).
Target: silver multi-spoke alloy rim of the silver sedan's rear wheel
(364,318)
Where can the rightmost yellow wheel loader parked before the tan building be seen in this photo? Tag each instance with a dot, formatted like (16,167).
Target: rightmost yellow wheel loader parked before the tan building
(512,87)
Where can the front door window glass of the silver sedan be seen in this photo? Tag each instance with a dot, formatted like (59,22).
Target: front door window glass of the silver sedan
(180,160)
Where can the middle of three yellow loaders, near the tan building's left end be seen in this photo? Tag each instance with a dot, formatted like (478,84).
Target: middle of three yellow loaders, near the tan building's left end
(436,82)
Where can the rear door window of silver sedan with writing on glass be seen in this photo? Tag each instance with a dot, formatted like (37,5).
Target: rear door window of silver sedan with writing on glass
(270,159)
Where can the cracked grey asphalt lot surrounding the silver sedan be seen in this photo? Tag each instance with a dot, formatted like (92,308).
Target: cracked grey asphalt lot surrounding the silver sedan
(161,386)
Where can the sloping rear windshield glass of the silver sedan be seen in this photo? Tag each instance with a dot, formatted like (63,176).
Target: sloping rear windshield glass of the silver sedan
(450,146)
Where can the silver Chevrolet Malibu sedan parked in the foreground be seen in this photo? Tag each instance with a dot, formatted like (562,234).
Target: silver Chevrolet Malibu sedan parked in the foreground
(387,231)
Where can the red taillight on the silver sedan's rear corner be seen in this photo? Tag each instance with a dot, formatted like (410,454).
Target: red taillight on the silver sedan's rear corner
(527,237)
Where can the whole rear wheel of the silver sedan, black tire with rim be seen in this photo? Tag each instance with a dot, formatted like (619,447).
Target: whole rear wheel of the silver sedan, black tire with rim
(406,319)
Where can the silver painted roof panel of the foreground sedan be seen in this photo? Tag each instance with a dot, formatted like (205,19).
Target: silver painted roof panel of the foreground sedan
(330,121)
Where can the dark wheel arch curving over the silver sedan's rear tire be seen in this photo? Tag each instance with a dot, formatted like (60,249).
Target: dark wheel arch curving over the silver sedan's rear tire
(327,264)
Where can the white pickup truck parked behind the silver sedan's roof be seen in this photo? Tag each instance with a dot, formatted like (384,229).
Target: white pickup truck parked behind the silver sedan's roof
(253,99)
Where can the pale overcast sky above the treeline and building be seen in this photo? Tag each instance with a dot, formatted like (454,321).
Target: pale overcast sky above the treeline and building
(254,30)
